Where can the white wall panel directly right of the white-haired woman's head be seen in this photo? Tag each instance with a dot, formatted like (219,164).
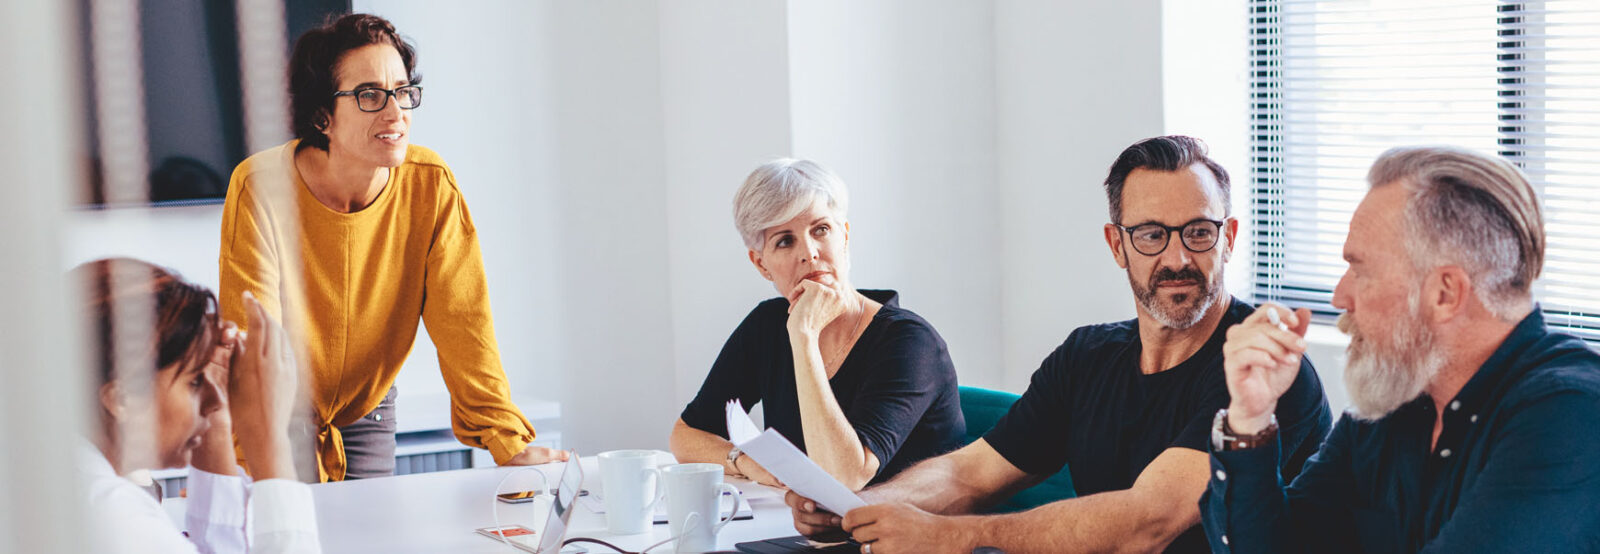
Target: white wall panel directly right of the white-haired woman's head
(898,98)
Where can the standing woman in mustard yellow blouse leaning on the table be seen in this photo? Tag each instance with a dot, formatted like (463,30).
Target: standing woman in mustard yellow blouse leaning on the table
(383,238)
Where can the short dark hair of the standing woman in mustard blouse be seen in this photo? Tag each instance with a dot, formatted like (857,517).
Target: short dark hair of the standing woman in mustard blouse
(314,65)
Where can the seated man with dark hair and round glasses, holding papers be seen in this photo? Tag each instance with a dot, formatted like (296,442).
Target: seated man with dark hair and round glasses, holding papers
(1126,407)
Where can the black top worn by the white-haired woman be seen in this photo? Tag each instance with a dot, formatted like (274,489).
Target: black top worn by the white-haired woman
(897,385)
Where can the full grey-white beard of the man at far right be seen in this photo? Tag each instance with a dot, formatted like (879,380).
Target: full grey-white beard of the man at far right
(1383,377)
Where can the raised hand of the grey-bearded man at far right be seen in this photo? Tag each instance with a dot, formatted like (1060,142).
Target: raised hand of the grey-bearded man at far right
(1262,359)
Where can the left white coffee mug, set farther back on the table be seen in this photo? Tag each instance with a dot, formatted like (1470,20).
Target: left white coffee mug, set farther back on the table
(633,488)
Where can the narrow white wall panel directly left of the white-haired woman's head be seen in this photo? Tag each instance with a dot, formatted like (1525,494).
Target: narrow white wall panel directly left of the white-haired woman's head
(726,110)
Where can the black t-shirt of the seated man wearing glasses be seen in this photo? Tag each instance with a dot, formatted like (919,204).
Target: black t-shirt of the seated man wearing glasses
(1092,409)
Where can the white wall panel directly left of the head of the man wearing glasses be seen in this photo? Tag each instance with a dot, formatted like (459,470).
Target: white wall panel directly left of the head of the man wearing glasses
(1076,84)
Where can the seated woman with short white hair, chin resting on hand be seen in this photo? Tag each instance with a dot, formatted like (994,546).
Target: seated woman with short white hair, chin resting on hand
(862,385)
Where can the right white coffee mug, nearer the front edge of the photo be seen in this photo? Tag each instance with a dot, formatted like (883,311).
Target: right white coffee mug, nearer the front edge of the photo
(695,505)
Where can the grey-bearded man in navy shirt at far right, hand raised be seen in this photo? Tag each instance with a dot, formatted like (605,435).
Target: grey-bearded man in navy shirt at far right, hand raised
(1473,427)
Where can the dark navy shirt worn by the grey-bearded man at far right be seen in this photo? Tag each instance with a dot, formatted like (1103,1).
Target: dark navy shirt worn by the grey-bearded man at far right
(1516,470)
